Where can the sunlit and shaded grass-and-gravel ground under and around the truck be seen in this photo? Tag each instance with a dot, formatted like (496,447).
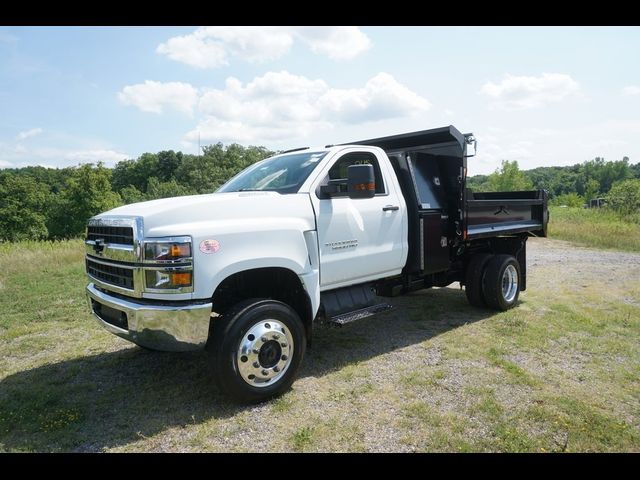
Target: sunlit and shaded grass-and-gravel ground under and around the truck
(559,373)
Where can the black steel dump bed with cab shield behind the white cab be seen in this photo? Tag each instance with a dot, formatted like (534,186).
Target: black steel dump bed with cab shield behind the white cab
(431,166)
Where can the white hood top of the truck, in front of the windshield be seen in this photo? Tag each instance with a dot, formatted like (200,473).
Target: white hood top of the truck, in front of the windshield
(177,215)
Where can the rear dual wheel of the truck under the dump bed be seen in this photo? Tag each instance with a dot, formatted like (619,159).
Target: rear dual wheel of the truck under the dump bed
(497,279)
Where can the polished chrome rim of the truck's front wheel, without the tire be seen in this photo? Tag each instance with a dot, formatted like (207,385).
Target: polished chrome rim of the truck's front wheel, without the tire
(265,353)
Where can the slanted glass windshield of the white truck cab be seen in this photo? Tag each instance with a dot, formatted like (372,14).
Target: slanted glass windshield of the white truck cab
(282,174)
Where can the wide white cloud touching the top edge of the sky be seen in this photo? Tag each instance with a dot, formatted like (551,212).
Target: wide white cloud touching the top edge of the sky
(211,47)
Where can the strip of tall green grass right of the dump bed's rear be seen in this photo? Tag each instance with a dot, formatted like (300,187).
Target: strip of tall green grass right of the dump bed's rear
(595,227)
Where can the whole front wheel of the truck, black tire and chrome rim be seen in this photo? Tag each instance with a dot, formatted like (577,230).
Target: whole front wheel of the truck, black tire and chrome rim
(256,349)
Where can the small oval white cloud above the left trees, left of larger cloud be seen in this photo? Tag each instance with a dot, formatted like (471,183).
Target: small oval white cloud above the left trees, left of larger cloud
(154,97)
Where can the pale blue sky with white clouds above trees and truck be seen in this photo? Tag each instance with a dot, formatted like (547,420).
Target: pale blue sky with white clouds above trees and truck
(543,96)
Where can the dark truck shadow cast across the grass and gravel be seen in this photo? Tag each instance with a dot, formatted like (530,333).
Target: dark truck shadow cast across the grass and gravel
(96,402)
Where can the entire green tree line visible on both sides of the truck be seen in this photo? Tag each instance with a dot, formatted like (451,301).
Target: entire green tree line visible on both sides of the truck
(47,203)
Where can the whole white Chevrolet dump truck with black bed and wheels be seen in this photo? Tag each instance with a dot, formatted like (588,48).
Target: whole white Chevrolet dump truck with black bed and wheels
(307,236)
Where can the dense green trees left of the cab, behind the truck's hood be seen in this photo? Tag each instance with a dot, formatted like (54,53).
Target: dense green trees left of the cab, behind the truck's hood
(39,203)
